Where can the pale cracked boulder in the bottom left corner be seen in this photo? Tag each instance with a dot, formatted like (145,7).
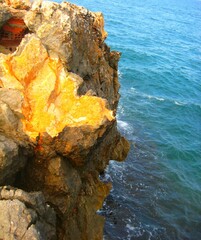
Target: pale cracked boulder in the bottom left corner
(25,216)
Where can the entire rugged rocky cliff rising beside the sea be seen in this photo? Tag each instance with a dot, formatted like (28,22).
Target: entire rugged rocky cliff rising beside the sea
(58,100)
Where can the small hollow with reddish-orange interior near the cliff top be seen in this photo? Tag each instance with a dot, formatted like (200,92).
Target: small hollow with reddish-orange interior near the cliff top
(11,35)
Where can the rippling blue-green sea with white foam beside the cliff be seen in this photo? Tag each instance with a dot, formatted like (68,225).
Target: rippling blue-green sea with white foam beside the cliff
(157,190)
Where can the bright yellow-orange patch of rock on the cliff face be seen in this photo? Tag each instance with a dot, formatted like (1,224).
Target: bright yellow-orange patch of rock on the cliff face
(50,93)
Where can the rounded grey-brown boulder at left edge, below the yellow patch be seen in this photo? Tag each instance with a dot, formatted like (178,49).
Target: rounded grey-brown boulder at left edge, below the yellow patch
(14,144)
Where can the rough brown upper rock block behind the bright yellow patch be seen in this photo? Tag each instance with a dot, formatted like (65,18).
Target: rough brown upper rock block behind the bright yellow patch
(77,36)
